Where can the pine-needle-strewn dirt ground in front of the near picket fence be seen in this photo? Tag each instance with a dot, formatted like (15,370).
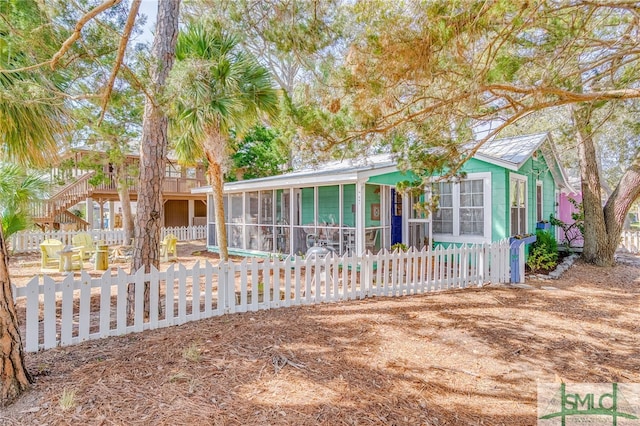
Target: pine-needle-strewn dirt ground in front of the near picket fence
(471,356)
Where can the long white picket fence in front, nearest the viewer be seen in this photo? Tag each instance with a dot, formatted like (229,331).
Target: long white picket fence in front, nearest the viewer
(84,308)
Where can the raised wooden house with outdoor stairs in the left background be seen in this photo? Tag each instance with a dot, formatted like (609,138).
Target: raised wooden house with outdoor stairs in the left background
(72,189)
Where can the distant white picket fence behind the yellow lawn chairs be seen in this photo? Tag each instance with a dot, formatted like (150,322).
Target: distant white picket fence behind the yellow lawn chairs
(29,241)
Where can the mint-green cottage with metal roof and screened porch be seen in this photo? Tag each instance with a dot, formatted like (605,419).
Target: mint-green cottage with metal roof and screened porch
(352,206)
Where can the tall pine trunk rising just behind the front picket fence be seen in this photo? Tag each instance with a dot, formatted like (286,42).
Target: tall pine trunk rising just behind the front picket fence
(153,148)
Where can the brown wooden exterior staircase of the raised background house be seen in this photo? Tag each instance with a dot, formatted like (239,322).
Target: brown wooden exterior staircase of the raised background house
(46,213)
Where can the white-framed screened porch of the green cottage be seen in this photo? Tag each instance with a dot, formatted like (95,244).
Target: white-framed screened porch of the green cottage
(343,206)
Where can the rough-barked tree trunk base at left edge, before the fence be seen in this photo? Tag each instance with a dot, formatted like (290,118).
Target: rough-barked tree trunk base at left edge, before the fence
(14,376)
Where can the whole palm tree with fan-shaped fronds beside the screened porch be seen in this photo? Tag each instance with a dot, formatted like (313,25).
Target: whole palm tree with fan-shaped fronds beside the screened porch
(217,88)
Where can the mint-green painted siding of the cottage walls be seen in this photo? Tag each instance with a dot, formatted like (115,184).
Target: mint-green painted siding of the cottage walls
(320,202)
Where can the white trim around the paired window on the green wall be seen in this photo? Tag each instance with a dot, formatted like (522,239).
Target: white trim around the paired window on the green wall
(487,231)
